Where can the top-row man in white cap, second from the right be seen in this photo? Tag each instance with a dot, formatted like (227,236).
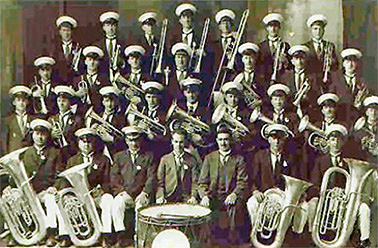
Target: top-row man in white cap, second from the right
(273,50)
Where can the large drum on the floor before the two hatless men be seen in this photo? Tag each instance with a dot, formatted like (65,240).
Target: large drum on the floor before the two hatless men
(192,220)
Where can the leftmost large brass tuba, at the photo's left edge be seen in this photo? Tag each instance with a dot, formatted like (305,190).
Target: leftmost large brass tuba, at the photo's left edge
(20,206)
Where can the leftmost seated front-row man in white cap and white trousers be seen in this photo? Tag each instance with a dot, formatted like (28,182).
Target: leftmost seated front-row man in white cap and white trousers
(42,161)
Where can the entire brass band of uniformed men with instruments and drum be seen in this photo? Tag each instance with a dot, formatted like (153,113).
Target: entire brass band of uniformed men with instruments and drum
(230,141)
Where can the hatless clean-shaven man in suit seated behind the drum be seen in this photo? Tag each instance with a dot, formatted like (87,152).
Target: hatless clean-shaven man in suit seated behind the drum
(178,173)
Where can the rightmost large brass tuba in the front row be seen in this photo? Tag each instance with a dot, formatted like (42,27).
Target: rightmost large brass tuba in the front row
(337,208)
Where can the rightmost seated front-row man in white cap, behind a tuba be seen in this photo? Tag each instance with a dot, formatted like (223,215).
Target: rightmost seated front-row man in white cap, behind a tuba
(335,135)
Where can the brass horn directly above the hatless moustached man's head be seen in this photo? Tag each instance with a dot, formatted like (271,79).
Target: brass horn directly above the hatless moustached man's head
(221,114)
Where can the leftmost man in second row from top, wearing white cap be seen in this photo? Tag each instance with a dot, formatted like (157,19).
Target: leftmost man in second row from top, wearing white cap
(44,98)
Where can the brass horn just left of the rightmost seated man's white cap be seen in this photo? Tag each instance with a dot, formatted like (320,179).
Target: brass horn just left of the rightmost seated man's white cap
(317,139)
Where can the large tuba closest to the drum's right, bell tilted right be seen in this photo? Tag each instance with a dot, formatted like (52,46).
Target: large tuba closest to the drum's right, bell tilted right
(276,212)
